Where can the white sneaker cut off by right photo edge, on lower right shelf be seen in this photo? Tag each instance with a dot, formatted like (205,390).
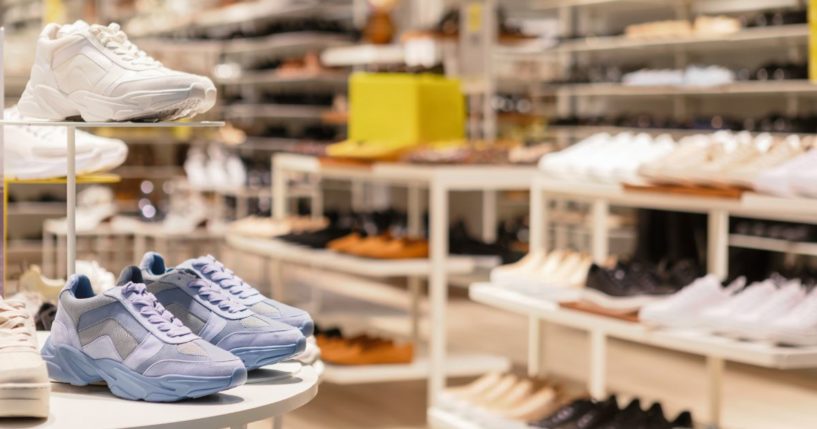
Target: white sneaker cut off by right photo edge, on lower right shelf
(798,327)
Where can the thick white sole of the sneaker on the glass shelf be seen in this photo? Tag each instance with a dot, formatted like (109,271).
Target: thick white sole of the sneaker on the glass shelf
(46,102)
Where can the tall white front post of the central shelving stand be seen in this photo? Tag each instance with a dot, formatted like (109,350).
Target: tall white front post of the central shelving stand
(438,289)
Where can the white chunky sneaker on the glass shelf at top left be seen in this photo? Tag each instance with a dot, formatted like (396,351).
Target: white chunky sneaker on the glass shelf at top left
(95,72)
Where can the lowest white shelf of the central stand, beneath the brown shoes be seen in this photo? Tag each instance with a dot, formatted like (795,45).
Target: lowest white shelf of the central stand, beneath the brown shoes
(456,365)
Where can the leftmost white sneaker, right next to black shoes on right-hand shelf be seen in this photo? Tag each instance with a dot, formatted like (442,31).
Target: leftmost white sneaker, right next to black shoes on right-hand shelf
(684,309)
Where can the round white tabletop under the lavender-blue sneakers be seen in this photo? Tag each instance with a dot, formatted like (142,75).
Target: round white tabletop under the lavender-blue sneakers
(270,392)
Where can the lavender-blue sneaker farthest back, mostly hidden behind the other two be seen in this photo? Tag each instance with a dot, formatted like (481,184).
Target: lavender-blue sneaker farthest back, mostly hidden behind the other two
(213,270)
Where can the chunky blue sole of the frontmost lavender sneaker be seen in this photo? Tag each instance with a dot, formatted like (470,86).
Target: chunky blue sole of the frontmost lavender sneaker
(67,364)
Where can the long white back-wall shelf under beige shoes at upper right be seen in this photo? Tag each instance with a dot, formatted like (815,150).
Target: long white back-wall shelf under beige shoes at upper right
(798,32)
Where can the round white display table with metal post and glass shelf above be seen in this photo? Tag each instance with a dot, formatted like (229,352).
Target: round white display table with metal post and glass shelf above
(264,398)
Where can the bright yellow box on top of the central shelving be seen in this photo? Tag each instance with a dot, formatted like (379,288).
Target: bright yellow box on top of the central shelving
(405,108)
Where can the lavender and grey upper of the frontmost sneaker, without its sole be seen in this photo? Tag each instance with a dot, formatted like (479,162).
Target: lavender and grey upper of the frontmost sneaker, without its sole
(128,325)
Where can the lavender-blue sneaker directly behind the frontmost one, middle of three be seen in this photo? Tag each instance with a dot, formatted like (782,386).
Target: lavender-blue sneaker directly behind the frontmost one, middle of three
(212,314)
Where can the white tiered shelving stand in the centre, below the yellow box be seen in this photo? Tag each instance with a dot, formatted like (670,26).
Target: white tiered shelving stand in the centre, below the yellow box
(440,181)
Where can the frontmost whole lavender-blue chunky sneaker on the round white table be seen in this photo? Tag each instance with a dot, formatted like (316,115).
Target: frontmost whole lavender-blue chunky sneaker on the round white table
(125,338)
